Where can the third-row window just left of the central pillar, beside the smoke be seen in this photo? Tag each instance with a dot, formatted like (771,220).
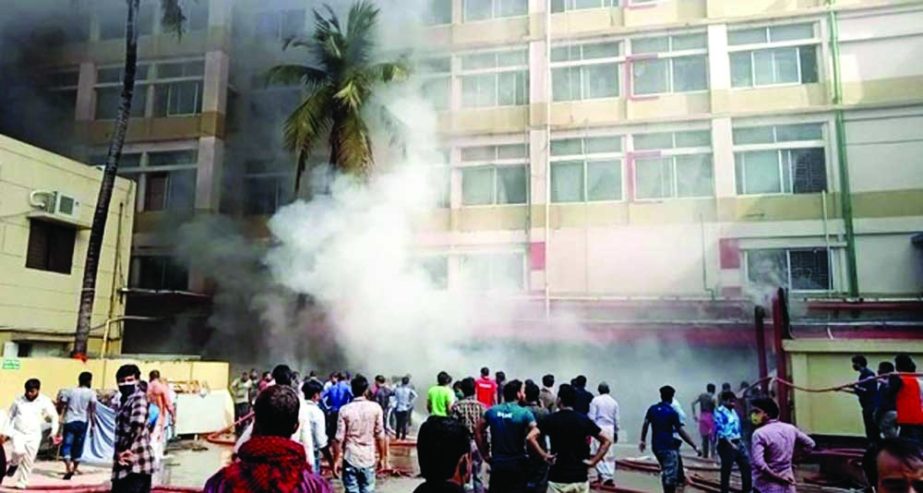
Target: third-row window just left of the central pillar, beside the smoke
(494,174)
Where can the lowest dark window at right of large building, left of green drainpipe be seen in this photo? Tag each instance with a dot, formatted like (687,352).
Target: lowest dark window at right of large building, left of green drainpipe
(796,269)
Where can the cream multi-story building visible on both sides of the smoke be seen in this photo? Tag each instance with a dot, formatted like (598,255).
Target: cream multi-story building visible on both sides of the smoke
(597,150)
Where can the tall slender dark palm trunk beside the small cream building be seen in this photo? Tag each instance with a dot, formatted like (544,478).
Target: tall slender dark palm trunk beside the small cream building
(91,267)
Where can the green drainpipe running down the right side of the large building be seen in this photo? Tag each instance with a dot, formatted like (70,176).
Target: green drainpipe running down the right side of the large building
(843,160)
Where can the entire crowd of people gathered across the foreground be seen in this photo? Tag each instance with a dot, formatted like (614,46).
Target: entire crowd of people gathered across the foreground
(533,437)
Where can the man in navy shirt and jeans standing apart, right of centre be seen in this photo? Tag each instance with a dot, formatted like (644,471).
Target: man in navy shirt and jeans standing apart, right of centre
(664,420)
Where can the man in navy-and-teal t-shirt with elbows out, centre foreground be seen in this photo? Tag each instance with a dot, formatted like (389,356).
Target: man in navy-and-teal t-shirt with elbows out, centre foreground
(510,426)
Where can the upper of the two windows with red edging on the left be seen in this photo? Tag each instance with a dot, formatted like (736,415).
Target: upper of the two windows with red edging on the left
(681,64)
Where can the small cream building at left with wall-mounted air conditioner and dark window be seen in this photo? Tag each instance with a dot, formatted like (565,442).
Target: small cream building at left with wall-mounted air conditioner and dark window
(46,207)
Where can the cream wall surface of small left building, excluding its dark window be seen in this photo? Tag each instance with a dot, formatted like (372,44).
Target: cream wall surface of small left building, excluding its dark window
(42,305)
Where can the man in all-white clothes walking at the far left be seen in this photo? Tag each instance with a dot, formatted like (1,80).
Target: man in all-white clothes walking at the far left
(28,414)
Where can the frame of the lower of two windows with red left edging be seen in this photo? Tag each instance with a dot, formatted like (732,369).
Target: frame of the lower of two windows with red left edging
(672,153)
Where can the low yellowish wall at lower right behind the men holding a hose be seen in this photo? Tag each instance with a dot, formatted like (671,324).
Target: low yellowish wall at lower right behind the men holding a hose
(824,363)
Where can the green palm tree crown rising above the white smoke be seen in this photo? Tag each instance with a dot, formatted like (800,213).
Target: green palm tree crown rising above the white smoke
(340,85)
